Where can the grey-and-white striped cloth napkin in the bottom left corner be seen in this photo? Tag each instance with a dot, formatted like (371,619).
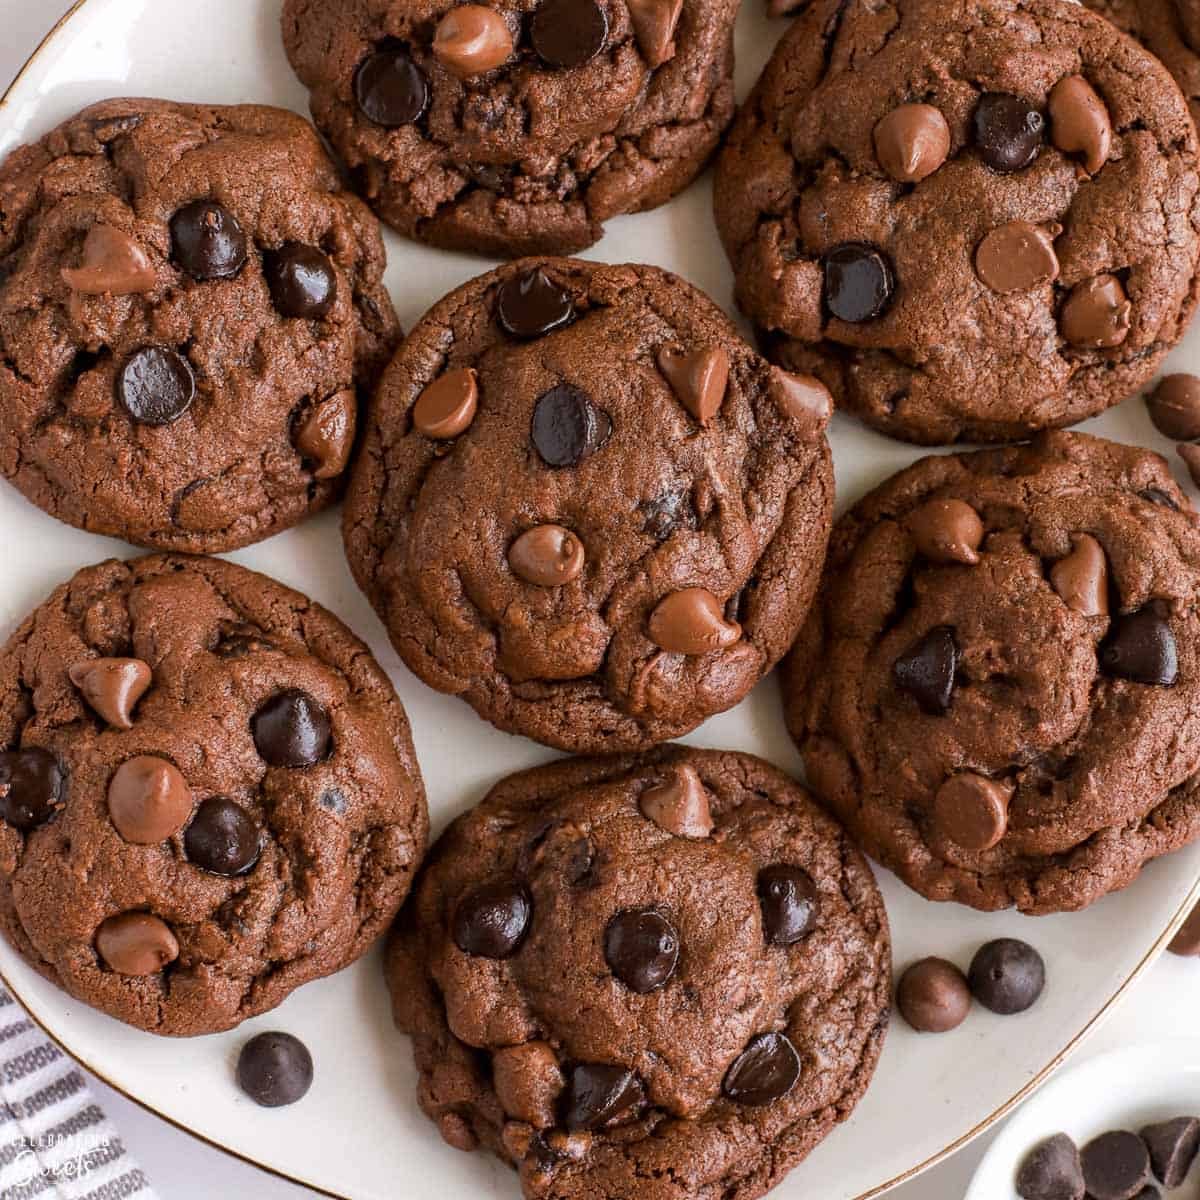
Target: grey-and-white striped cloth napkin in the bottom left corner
(56,1143)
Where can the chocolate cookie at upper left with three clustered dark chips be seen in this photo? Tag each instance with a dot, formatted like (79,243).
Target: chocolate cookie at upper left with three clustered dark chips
(189,308)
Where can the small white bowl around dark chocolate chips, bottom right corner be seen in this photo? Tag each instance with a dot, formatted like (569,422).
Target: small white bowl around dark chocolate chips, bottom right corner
(1127,1089)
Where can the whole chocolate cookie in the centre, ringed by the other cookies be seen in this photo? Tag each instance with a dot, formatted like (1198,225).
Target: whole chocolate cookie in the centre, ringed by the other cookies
(587,507)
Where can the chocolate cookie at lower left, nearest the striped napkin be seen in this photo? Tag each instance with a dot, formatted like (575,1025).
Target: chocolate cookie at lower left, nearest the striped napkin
(208,794)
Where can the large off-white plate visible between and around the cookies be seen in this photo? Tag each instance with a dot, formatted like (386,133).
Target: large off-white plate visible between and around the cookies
(359,1133)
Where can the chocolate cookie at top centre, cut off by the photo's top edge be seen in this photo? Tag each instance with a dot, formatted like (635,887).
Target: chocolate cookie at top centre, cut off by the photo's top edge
(521,128)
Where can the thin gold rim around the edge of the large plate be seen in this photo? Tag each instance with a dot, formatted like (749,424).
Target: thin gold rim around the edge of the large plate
(911,1174)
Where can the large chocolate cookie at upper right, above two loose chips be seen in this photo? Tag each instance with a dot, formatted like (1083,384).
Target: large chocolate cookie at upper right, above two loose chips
(973,219)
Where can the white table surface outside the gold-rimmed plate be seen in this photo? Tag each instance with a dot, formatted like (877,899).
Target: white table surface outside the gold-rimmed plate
(184,1169)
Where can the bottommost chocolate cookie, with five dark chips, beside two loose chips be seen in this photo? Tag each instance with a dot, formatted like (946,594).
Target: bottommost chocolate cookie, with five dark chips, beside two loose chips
(670,968)
